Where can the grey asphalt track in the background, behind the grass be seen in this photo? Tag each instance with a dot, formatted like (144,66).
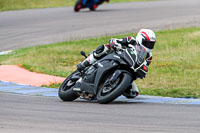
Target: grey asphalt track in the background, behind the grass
(42,26)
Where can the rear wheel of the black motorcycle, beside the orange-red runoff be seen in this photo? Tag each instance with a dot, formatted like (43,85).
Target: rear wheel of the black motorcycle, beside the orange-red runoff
(65,91)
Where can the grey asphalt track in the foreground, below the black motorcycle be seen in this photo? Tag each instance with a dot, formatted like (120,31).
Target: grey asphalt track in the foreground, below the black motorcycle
(35,114)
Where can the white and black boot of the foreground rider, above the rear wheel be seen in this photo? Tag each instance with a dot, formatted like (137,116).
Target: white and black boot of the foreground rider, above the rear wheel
(88,61)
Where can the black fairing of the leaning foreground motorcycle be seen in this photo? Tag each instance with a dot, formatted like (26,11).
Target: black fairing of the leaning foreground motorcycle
(94,75)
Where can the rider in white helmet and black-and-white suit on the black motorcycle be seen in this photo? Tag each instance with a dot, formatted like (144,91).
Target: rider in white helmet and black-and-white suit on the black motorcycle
(145,37)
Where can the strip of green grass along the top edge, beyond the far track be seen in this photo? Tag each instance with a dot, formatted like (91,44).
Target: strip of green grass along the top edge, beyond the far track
(6,5)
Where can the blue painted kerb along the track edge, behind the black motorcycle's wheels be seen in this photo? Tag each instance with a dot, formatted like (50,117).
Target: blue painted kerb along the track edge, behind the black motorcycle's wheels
(14,88)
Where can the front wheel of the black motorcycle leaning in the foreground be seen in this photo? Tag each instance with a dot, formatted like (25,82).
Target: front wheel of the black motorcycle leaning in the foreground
(107,93)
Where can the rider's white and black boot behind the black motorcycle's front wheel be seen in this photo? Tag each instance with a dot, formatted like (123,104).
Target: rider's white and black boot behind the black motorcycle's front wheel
(131,92)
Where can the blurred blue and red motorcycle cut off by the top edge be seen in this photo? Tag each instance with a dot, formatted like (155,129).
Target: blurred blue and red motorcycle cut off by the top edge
(91,4)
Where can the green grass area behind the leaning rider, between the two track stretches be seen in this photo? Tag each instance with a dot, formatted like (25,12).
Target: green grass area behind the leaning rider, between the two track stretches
(175,70)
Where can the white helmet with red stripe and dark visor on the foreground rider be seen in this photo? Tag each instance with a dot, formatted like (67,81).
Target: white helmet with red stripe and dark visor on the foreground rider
(146,38)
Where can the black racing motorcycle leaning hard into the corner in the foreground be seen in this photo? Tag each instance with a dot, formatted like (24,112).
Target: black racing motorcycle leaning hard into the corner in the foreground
(107,78)
